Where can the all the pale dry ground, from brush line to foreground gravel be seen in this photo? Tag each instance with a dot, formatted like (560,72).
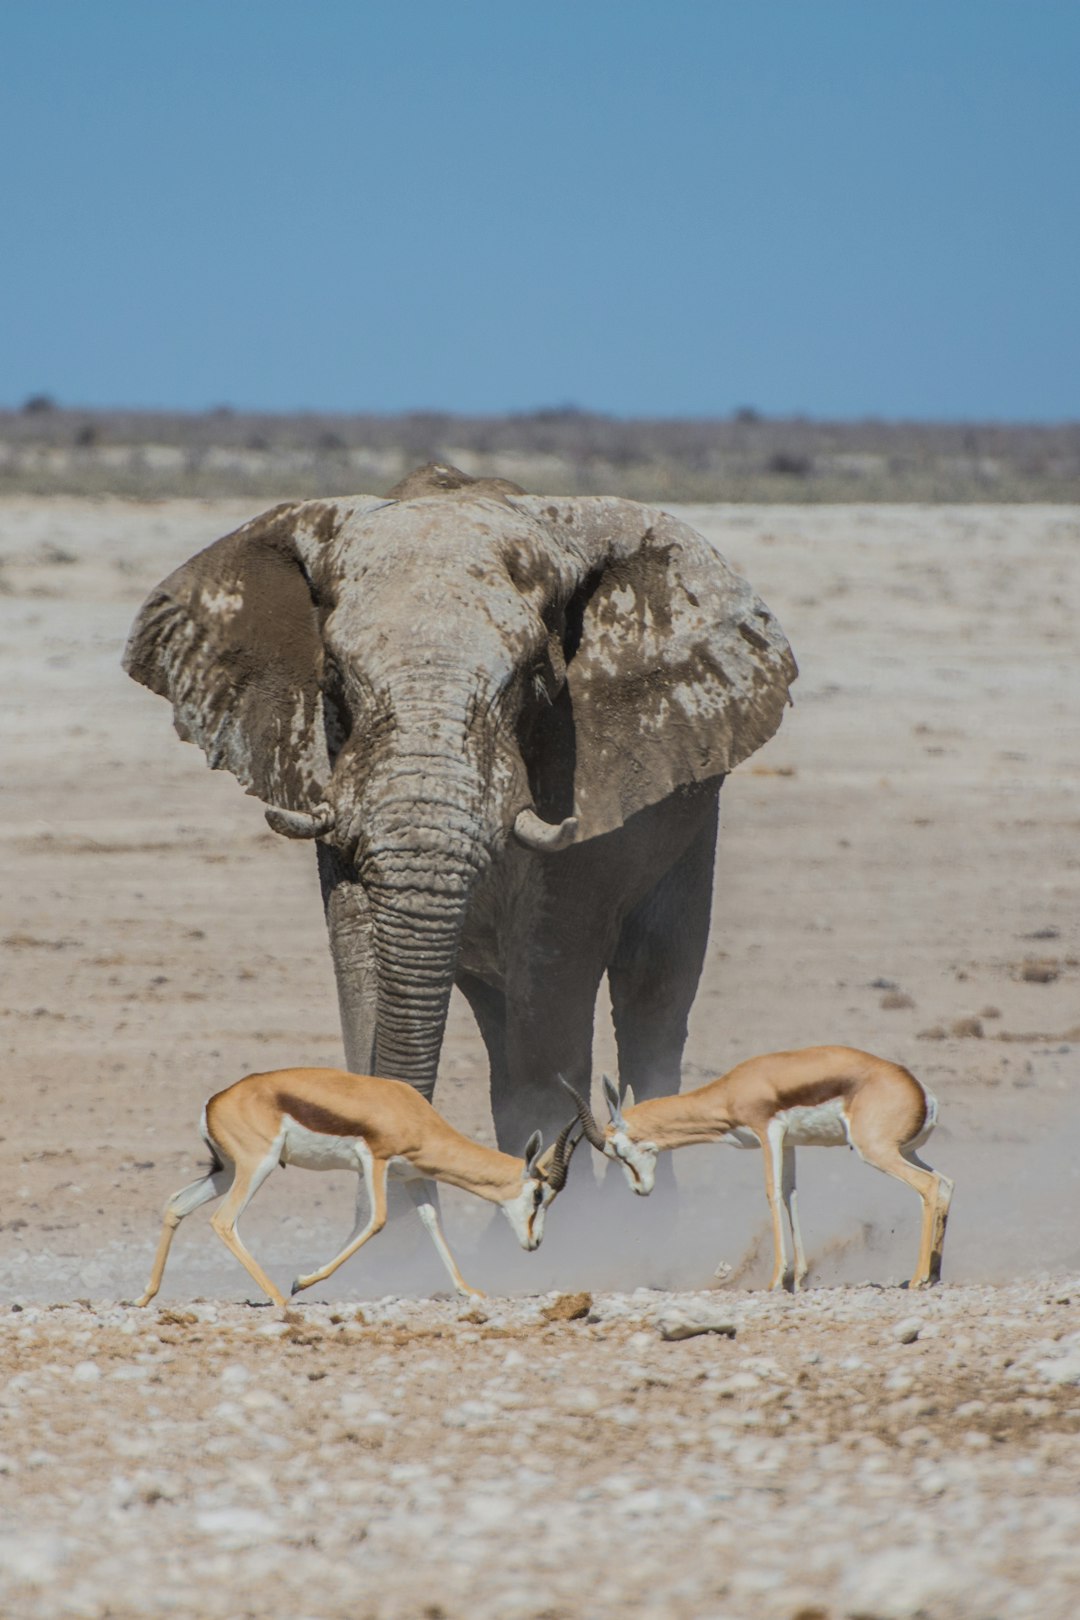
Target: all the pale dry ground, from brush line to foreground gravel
(899,863)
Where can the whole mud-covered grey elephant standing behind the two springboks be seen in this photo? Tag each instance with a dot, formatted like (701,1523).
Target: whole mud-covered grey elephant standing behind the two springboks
(504,720)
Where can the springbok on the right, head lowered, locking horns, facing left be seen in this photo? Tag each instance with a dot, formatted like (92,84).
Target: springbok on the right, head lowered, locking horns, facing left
(819,1098)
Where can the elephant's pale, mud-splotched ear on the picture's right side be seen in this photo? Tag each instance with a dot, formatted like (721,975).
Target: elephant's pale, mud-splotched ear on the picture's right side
(676,670)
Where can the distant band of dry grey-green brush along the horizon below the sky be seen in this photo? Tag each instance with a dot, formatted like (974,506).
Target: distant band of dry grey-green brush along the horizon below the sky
(744,458)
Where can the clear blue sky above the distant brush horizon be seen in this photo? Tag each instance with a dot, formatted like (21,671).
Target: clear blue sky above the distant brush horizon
(835,208)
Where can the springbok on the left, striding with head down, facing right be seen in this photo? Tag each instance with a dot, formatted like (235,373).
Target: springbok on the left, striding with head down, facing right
(331,1120)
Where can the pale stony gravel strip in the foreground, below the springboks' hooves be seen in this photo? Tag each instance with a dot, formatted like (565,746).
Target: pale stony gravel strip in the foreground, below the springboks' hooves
(422,1459)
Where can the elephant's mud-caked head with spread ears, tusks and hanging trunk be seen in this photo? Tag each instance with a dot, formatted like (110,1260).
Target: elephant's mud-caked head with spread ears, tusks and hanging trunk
(423,680)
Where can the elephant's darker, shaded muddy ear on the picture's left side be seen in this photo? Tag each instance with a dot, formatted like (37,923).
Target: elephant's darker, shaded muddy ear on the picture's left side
(232,641)
